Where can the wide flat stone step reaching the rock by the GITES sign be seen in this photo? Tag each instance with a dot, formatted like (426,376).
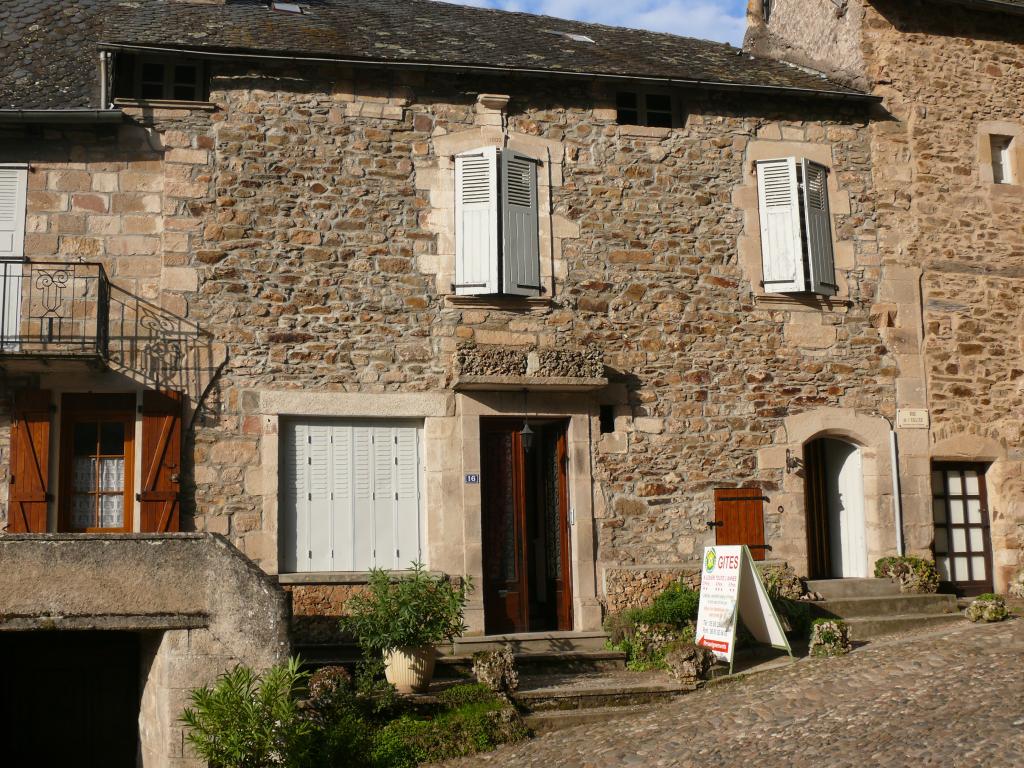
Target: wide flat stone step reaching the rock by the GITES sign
(590,692)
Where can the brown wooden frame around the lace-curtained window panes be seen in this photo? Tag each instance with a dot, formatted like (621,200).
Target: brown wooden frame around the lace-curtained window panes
(79,408)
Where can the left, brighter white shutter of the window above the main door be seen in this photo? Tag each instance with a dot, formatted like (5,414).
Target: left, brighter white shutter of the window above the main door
(477,223)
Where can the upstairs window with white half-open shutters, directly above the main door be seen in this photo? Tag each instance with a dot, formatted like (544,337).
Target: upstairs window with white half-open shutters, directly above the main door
(498,242)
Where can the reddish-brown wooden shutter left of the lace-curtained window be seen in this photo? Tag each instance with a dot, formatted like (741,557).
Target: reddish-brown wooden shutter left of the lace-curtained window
(30,451)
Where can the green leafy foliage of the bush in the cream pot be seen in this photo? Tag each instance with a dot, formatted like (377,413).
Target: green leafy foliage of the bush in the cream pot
(412,612)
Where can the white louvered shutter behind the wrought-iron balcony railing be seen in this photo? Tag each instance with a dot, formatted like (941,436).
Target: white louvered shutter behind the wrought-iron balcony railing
(14,187)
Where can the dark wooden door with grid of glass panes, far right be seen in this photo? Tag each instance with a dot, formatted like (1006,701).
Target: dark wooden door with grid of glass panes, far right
(963,541)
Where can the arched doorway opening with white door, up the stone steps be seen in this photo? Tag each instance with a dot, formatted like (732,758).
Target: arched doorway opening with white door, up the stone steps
(837,541)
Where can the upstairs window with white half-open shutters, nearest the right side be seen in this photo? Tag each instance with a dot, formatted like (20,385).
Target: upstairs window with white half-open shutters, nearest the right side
(796,228)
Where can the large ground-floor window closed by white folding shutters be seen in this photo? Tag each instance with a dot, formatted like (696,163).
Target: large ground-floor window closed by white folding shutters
(351,495)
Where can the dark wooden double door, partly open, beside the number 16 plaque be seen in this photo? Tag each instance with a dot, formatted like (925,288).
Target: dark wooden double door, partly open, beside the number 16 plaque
(527,545)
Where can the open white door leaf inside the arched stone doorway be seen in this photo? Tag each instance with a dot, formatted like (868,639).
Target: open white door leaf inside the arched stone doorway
(848,541)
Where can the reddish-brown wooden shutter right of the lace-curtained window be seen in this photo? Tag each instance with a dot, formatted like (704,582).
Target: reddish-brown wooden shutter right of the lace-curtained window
(160,506)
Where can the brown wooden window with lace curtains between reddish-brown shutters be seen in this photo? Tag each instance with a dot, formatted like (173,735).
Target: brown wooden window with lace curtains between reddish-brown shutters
(98,459)
